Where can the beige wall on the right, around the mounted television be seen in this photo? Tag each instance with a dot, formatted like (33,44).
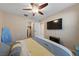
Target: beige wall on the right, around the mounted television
(69,33)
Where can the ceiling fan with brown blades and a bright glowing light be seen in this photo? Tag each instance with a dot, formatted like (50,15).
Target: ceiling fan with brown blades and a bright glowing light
(36,8)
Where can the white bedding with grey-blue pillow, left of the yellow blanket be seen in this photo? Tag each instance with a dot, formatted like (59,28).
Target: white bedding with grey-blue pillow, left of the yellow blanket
(19,48)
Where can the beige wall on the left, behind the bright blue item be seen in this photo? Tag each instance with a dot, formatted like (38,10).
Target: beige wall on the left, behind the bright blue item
(17,25)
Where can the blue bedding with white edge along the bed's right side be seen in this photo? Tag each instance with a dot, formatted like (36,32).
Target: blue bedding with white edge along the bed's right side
(55,48)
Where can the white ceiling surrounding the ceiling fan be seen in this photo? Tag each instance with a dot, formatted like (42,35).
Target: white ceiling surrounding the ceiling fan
(16,8)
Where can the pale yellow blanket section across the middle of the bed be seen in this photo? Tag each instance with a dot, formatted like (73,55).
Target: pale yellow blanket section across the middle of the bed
(36,49)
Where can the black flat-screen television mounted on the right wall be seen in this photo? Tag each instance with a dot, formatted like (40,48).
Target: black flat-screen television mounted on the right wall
(55,24)
